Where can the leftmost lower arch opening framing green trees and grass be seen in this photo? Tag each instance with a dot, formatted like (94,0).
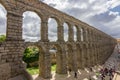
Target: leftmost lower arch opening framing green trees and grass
(31,58)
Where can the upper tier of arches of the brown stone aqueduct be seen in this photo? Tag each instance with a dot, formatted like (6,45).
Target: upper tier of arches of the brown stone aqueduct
(76,29)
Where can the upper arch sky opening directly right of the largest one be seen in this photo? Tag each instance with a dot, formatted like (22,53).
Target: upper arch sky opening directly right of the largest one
(52,29)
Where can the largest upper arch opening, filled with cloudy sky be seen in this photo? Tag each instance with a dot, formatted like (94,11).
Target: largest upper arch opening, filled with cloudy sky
(31,26)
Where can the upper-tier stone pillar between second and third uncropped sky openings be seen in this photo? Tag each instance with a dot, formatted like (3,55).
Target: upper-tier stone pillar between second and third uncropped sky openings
(60,32)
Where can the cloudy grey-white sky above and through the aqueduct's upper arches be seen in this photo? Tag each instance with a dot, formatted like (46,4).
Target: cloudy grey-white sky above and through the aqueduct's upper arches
(102,14)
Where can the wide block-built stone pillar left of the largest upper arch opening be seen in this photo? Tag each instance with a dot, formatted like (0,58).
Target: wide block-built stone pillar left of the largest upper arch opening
(14,26)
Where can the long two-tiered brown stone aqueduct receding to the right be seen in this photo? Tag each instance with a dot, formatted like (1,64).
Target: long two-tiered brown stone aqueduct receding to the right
(94,49)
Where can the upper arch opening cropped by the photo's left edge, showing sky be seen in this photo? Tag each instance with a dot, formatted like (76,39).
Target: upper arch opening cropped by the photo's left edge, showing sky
(3,22)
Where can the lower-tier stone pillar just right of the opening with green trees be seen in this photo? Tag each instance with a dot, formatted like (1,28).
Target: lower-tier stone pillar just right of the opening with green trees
(45,63)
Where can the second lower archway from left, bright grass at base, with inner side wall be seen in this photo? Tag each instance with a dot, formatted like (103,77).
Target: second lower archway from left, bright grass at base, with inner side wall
(56,62)
